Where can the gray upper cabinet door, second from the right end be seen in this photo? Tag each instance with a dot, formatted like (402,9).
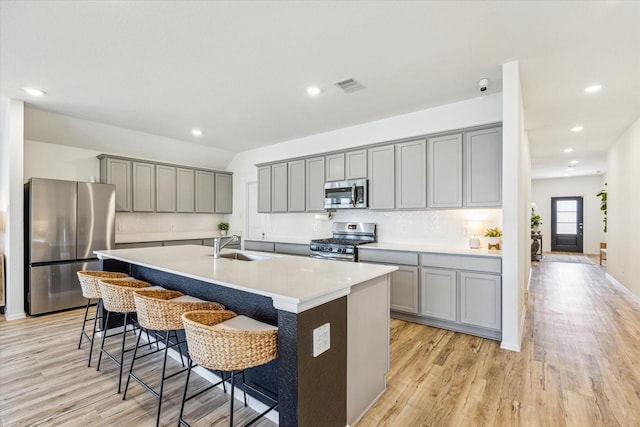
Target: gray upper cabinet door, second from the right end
(444,159)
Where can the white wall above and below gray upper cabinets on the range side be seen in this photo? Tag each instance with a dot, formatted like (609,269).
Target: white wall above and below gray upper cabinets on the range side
(434,227)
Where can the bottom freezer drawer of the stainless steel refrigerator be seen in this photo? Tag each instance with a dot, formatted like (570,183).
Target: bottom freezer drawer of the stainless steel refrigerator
(56,287)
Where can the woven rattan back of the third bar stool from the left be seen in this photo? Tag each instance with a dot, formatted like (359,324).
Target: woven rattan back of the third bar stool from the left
(158,311)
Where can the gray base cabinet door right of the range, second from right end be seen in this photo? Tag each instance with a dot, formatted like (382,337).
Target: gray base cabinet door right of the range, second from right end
(439,294)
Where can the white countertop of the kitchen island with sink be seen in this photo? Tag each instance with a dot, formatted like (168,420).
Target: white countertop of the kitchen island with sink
(294,283)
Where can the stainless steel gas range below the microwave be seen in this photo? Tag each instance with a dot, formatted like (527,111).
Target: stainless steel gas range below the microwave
(343,245)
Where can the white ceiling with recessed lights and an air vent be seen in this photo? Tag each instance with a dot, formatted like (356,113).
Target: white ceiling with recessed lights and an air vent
(238,70)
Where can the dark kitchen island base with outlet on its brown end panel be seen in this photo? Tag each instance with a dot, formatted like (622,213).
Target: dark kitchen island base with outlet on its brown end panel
(312,391)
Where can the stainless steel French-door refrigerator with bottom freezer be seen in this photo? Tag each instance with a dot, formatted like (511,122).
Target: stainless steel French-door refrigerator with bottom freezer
(65,221)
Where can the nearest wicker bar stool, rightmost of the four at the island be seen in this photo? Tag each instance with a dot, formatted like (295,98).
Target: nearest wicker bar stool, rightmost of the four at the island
(231,345)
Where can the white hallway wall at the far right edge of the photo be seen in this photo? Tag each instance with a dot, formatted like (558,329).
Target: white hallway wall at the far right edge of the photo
(623,209)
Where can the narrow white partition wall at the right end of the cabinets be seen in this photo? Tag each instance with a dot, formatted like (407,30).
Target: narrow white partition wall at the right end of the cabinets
(516,190)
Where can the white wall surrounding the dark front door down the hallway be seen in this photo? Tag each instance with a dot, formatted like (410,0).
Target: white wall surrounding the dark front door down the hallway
(542,190)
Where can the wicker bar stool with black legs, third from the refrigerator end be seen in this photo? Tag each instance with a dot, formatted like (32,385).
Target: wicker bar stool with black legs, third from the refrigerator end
(161,311)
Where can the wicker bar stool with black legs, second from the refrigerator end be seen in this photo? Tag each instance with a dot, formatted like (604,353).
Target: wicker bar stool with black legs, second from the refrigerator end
(117,297)
